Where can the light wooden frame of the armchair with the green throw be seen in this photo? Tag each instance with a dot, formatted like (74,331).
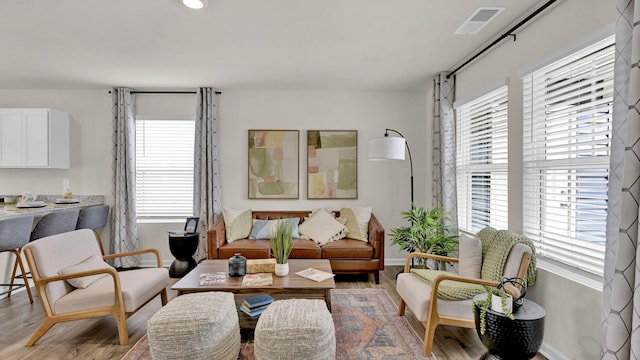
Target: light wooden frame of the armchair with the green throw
(433,317)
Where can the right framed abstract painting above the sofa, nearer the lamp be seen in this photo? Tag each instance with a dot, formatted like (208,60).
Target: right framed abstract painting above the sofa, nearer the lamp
(332,164)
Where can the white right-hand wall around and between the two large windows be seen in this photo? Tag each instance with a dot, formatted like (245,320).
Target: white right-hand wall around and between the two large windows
(572,329)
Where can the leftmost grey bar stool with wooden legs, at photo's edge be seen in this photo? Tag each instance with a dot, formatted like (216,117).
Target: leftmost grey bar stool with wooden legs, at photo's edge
(14,234)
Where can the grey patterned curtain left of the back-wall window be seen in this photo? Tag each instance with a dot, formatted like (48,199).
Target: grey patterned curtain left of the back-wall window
(124,229)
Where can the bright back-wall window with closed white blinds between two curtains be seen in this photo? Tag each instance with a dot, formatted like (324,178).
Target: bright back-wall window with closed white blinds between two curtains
(164,168)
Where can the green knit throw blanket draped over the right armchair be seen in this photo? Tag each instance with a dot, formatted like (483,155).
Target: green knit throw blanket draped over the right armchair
(496,246)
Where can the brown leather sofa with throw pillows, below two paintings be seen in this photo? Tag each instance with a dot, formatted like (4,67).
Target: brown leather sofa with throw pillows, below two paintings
(347,256)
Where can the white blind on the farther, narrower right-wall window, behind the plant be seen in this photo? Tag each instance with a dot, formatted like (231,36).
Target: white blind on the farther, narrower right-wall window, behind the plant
(482,159)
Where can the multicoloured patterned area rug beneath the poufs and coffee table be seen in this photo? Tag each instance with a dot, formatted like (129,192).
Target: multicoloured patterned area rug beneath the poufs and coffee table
(367,327)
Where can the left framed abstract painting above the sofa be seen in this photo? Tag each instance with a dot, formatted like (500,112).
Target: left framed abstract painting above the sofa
(274,164)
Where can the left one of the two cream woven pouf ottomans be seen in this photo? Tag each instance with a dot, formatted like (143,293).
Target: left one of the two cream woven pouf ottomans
(196,326)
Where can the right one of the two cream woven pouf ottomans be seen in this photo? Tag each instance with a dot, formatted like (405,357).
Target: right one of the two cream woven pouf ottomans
(295,329)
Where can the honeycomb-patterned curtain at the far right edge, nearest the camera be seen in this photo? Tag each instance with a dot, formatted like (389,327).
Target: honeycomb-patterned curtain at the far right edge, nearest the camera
(621,292)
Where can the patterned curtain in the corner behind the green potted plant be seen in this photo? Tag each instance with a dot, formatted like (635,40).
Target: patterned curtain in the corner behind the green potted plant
(444,148)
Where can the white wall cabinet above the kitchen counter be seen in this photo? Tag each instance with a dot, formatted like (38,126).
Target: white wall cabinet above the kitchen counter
(34,138)
